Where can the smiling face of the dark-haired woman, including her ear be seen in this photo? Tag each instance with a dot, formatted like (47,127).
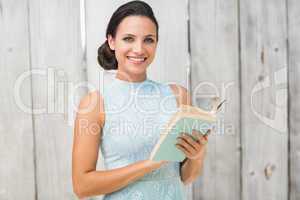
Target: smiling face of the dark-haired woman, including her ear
(134,44)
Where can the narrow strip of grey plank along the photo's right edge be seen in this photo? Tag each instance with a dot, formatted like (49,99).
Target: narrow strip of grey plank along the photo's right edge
(294,97)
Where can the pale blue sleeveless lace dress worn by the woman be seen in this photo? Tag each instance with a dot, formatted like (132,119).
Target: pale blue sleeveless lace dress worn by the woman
(135,112)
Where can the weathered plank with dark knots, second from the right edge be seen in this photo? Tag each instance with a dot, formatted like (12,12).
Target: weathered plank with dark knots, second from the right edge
(264,99)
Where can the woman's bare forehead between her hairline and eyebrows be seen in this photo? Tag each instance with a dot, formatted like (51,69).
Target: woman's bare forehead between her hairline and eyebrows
(136,25)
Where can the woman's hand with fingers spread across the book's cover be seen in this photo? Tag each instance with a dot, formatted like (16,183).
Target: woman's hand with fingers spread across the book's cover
(192,149)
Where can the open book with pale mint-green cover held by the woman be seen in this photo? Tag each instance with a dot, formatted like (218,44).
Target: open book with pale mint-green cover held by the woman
(186,119)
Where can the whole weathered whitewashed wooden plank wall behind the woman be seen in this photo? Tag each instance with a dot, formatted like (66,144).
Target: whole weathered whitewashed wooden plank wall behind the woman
(244,51)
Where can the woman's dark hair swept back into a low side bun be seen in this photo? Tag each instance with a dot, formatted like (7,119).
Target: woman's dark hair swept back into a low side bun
(106,56)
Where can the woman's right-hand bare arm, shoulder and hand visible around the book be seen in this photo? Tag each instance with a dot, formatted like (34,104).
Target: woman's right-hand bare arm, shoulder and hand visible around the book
(192,166)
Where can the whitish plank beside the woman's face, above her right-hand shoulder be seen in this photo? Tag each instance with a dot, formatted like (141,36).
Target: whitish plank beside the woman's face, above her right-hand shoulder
(171,62)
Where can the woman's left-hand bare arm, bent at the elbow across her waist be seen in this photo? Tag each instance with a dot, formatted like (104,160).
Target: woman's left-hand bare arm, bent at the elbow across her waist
(87,135)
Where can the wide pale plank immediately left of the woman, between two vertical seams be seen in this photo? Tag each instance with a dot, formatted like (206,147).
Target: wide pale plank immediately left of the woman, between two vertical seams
(58,55)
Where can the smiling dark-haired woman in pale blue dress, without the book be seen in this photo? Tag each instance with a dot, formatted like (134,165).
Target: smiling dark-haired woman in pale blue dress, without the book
(125,121)
